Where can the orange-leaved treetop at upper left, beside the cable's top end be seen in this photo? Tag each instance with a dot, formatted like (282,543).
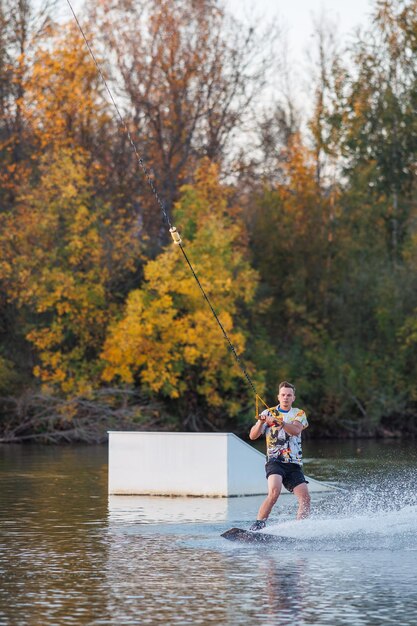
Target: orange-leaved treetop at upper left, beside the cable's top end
(64,95)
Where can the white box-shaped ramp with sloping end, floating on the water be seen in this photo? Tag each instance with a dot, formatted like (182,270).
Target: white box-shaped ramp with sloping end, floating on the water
(186,464)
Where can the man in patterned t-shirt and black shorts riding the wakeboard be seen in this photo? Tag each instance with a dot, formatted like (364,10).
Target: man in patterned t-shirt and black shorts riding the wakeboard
(282,427)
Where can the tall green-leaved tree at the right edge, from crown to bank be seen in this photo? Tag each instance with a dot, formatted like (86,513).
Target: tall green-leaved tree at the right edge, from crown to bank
(377,138)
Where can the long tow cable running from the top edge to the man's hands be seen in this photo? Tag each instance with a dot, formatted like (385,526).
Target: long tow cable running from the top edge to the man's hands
(173,231)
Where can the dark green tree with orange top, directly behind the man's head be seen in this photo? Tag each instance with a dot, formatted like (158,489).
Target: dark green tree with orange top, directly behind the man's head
(289,243)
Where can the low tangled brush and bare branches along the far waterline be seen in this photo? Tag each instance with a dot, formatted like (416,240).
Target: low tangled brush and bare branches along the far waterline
(37,418)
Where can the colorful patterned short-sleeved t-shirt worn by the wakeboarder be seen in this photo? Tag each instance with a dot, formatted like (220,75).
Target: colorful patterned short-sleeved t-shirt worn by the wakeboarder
(280,445)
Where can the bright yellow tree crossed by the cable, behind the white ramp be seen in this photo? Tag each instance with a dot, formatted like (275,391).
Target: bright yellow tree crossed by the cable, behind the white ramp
(167,339)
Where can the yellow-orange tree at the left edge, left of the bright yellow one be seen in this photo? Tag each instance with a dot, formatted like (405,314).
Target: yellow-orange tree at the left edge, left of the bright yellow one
(62,251)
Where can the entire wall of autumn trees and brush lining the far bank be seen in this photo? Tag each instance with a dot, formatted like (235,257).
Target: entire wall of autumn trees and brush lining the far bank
(301,226)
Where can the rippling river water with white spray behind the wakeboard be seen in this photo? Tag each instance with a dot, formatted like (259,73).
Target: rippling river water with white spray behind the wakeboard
(69,554)
